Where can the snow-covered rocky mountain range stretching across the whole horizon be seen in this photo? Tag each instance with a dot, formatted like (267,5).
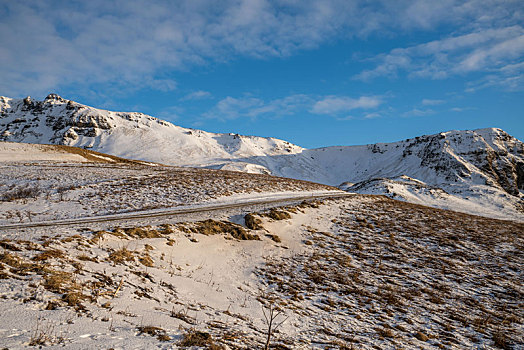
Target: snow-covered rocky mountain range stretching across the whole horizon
(479,171)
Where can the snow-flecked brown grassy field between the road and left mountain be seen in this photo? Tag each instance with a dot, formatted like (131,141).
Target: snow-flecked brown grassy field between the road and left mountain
(42,183)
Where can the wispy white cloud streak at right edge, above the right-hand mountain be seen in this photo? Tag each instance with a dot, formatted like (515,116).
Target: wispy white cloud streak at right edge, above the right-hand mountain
(487,51)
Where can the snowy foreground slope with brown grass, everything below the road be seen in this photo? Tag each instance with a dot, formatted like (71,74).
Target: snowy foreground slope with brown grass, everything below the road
(364,272)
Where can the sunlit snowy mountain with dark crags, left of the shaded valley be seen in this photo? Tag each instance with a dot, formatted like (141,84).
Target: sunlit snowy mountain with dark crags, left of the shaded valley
(130,135)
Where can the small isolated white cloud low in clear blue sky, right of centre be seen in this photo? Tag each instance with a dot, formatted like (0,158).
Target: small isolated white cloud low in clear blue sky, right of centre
(337,104)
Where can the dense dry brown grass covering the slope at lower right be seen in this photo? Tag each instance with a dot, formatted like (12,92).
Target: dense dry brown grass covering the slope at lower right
(389,260)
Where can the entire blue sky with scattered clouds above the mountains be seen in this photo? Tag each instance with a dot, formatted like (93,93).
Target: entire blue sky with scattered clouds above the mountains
(315,73)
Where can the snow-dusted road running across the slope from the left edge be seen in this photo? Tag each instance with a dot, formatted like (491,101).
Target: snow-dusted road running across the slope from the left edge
(176,211)
